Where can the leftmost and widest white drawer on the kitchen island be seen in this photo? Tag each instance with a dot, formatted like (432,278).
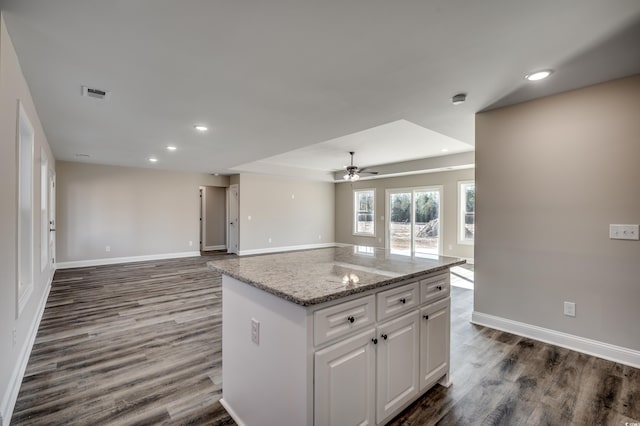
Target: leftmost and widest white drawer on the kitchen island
(339,320)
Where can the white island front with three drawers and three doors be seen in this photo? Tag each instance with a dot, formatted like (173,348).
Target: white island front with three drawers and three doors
(405,354)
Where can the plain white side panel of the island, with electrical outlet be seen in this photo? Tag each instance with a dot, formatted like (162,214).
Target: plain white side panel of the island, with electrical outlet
(267,383)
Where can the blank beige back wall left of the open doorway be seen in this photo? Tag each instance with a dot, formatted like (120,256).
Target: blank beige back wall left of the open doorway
(134,211)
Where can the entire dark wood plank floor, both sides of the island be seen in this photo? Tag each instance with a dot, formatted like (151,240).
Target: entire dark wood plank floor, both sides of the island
(140,343)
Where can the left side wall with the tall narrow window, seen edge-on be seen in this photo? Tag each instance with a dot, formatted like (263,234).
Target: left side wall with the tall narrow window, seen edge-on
(13,87)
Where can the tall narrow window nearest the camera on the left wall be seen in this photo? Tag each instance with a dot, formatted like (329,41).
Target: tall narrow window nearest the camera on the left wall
(25,208)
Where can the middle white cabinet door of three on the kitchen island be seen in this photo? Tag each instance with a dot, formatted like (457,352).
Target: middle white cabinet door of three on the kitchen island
(397,363)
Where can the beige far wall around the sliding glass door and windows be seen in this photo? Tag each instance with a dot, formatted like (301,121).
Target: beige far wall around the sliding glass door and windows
(449,213)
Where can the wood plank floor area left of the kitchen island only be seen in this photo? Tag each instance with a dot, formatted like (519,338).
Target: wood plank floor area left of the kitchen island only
(135,343)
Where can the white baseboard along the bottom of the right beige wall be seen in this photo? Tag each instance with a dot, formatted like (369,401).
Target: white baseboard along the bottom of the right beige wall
(588,346)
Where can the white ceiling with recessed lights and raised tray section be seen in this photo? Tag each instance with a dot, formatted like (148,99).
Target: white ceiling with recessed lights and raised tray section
(285,84)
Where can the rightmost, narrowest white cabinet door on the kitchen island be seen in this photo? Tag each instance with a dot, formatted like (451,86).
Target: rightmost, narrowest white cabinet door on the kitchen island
(434,342)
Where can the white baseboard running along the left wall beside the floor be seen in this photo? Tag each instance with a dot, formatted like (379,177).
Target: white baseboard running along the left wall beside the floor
(13,387)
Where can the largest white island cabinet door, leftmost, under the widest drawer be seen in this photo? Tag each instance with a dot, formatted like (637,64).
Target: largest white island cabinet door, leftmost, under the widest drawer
(345,382)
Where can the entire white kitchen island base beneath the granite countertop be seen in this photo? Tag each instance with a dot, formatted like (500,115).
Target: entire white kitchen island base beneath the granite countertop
(359,360)
